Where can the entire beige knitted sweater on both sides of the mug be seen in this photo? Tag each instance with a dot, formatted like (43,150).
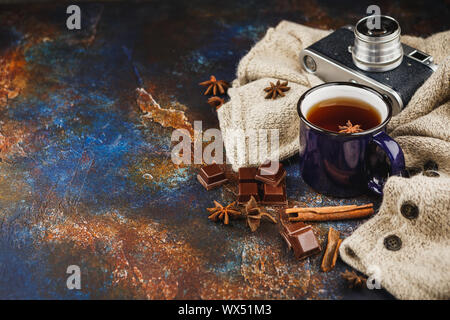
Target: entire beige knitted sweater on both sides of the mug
(406,246)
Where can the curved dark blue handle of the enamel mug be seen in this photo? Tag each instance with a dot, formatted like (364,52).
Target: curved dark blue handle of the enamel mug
(395,155)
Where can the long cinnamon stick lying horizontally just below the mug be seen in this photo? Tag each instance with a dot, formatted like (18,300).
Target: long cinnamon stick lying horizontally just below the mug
(330,213)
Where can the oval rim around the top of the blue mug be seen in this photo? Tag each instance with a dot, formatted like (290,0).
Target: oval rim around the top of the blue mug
(352,84)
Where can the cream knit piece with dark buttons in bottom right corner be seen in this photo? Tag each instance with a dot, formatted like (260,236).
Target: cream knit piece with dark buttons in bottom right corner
(421,268)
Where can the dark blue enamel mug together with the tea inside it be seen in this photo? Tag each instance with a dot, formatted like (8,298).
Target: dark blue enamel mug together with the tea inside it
(344,159)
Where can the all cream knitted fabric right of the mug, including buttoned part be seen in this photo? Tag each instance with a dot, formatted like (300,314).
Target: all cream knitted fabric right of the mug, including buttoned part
(421,268)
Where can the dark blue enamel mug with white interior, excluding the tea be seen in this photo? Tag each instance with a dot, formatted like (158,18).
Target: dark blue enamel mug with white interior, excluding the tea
(347,164)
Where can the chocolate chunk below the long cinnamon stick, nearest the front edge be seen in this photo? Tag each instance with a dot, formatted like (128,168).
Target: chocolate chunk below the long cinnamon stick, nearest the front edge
(301,239)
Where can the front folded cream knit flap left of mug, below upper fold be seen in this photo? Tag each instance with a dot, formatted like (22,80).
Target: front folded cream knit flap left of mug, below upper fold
(248,113)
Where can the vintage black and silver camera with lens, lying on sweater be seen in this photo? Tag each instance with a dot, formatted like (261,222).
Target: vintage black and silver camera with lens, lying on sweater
(335,58)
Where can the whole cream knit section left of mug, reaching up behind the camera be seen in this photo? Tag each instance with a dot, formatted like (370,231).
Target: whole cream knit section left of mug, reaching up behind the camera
(273,58)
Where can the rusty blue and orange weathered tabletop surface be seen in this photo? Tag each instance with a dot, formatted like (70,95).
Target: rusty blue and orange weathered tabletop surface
(79,133)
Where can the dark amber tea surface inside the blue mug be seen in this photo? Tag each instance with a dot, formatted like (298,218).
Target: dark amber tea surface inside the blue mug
(332,113)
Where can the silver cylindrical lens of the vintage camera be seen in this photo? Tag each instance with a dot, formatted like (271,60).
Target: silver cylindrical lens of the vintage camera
(377,50)
